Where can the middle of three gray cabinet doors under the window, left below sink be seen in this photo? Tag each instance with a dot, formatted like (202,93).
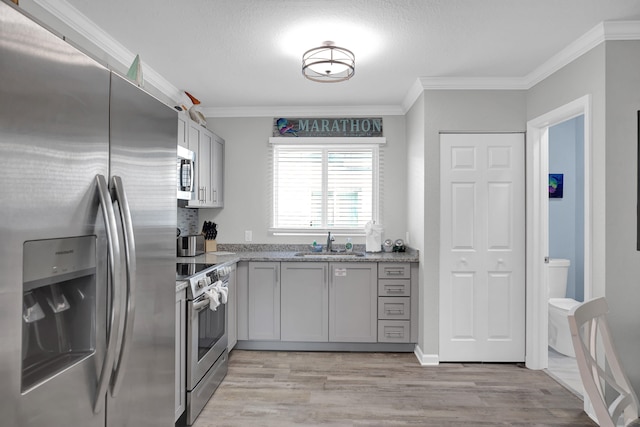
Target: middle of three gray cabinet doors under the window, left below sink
(304,301)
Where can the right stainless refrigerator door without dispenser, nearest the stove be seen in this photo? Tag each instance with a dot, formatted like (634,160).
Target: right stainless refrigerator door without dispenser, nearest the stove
(143,157)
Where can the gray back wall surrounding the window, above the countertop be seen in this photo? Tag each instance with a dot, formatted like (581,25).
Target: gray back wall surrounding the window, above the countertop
(247,182)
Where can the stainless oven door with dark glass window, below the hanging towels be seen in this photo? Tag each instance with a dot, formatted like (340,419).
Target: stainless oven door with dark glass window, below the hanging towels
(206,338)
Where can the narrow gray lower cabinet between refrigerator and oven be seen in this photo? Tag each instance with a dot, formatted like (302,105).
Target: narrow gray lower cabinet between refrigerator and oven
(181,353)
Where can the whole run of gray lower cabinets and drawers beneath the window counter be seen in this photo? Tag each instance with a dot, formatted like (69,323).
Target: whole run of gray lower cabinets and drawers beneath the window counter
(301,305)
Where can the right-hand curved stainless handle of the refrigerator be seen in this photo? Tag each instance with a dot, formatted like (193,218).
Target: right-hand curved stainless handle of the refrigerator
(130,263)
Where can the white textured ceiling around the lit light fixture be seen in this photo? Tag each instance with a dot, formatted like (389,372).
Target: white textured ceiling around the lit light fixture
(247,53)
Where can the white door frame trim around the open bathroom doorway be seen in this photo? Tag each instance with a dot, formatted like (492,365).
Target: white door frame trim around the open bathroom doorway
(538,227)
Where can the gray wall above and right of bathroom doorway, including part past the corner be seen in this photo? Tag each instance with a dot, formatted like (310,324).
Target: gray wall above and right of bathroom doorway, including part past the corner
(609,74)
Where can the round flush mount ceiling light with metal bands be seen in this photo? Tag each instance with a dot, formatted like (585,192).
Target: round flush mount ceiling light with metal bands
(328,63)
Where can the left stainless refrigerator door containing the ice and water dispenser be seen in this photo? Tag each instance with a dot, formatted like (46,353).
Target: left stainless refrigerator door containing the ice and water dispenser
(53,142)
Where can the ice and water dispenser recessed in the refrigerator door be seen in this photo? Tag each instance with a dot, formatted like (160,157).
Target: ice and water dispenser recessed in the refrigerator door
(58,306)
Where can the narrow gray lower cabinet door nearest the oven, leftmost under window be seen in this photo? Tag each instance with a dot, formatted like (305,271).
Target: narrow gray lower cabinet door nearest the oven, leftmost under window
(264,301)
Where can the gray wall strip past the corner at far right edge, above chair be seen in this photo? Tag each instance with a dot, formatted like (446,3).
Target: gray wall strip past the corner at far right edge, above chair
(622,258)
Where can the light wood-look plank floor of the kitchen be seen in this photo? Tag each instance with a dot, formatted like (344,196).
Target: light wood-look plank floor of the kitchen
(384,389)
